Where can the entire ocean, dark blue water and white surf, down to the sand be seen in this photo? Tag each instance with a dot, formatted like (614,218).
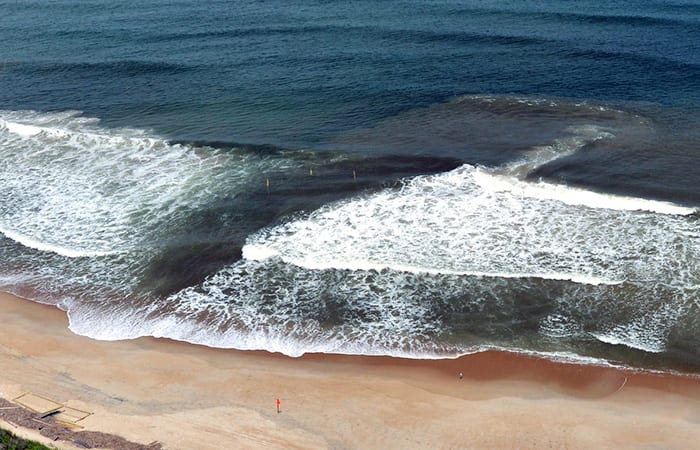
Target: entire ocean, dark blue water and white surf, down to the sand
(414,178)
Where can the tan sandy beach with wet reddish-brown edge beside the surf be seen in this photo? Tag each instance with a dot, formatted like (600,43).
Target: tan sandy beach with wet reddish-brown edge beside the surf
(192,397)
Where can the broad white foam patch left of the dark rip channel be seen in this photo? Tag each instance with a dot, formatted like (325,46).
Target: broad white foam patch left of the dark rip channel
(78,189)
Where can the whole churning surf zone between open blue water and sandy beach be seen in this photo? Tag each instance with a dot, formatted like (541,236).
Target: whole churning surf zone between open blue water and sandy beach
(426,265)
